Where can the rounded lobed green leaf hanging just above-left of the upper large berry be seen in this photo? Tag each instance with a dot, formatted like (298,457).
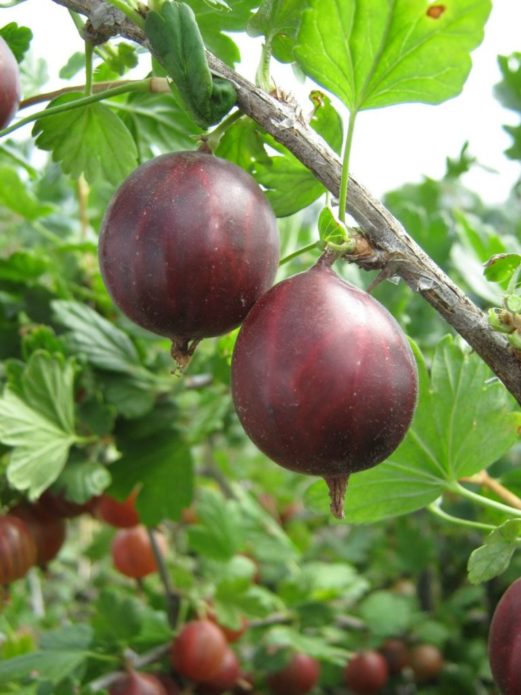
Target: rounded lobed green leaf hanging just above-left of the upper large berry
(89,140)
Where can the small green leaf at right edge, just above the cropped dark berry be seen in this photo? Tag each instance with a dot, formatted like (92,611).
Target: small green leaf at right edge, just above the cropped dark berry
(493,558)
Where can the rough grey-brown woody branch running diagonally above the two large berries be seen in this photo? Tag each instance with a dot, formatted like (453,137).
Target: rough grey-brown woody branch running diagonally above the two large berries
(399,253)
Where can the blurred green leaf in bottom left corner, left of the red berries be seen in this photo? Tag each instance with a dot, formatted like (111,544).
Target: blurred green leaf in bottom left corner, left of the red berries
(63,651)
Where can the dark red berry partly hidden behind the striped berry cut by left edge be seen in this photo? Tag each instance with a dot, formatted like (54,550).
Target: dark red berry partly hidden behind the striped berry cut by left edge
(49,532)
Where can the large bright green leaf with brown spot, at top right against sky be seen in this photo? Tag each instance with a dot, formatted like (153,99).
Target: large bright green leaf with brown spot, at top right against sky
(373,53)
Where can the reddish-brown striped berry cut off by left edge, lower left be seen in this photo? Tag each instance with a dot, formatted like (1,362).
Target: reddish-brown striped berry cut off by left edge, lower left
(17,549)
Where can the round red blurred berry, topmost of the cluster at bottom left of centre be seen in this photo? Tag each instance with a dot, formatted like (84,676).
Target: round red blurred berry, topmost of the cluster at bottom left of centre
(198,650)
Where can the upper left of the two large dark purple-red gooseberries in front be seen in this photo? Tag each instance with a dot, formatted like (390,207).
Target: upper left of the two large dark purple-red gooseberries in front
(188,244)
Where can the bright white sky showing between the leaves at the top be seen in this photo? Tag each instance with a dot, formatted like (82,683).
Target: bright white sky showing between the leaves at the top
(392,146)
